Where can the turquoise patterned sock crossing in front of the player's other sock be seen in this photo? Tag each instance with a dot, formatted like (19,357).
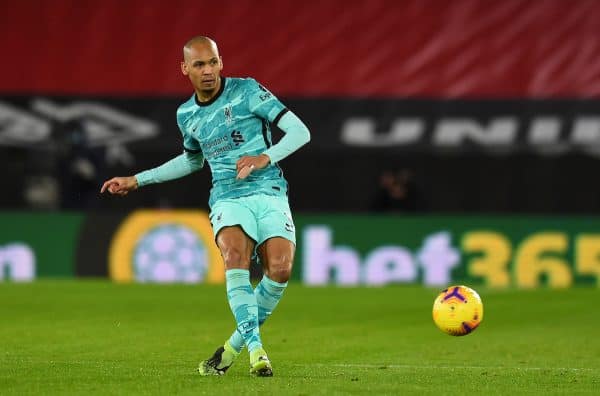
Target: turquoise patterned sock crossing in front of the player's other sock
(242,301)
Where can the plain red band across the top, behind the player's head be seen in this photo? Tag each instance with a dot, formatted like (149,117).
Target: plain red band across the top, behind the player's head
(371,48)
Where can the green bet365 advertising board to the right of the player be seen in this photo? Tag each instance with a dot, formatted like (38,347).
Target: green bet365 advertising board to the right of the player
(507,251)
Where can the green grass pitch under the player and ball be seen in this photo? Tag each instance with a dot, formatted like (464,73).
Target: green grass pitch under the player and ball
(99,338)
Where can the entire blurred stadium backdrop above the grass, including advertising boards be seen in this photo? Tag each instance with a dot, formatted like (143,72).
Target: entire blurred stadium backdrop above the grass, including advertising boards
(484,114)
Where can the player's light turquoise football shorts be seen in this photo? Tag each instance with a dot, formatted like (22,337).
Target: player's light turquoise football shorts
(260,216)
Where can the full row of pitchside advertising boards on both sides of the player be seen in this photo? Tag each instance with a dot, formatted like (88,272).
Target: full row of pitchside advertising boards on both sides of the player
(348,250)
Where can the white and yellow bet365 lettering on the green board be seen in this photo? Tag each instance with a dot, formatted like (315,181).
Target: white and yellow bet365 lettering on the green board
(554,259)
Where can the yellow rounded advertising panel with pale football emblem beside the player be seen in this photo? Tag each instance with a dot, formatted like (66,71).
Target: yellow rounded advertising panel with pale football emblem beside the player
(165,246)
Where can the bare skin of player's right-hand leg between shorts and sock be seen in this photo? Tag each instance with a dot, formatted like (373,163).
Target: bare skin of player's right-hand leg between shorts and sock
(277,257)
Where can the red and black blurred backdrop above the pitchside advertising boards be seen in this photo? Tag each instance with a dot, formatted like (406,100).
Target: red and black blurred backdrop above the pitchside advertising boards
(414,106)
